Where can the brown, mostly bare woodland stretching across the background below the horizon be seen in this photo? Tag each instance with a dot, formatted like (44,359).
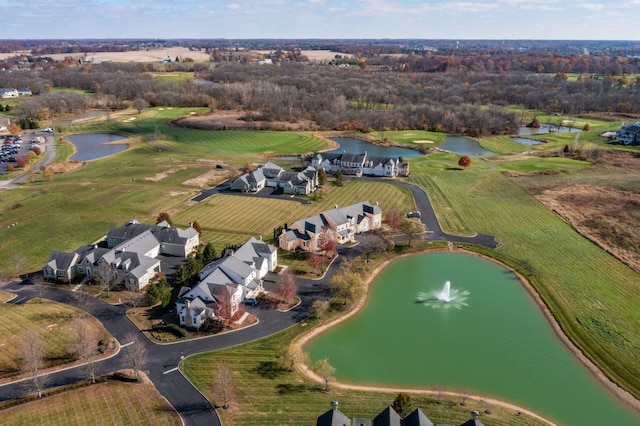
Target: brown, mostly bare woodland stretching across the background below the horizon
(464,92)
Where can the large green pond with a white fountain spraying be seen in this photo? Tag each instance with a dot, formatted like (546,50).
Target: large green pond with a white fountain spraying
(496,343)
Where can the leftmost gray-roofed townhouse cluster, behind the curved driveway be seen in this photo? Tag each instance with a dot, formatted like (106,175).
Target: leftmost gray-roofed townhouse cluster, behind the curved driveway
(130,258)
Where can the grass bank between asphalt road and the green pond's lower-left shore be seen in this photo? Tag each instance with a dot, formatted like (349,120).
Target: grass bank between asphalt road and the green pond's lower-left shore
(268,394)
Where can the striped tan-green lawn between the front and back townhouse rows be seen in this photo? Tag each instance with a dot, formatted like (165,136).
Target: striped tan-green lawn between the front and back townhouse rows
(232,219)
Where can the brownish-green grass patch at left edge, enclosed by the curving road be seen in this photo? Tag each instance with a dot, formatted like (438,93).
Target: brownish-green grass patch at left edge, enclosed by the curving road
(53,321)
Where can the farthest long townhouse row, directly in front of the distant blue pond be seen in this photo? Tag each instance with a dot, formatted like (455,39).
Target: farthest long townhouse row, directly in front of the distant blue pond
(359,164)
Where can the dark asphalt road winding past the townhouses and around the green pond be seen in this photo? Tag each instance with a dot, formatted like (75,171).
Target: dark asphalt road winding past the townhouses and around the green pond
(162,360)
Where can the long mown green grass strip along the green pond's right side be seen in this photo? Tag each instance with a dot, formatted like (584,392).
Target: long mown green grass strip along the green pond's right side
(593,296)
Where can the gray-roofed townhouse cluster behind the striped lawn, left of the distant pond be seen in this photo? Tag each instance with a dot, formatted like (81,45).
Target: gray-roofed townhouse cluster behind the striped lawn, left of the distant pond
(271,175)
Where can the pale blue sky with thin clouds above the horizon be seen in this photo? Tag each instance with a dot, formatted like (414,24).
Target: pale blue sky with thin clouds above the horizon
(470,19)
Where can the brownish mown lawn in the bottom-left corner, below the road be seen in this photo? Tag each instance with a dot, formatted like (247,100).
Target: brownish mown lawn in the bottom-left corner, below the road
(108,404)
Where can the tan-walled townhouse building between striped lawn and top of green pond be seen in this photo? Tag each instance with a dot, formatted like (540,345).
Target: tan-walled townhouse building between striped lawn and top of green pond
(340,223)
